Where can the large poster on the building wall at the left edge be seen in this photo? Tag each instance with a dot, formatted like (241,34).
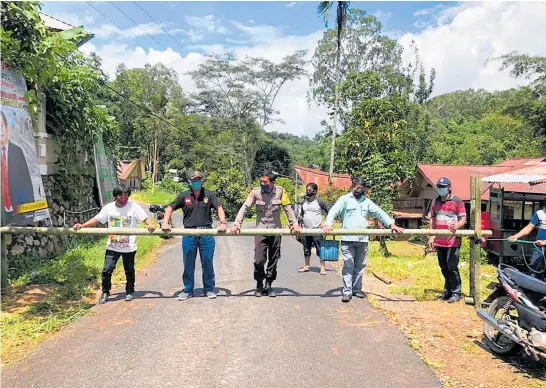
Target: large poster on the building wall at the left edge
(23,199)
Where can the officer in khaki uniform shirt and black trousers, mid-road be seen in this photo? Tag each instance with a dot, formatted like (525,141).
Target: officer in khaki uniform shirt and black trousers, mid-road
(268,199)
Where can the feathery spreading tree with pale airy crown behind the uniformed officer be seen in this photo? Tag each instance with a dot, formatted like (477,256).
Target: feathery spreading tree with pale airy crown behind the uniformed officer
(245,92)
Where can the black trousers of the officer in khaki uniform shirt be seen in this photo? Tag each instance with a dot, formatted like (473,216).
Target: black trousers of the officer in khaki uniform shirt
(267,249)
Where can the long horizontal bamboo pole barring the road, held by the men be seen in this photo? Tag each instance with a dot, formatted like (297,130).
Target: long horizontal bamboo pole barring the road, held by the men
(243,232)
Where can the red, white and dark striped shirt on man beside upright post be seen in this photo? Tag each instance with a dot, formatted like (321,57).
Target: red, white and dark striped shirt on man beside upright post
(444,214)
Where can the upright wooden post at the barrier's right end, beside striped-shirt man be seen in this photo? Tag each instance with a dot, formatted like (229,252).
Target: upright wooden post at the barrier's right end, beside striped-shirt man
(475,249)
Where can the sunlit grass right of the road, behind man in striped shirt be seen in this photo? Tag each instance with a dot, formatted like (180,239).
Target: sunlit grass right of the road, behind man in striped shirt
(419,276)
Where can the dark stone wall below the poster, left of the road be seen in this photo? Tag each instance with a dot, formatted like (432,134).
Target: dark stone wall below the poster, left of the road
(39,246)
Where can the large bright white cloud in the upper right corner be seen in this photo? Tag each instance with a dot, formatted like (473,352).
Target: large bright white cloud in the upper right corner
(460,39)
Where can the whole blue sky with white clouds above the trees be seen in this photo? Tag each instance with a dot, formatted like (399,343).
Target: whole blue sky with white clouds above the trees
(454,38)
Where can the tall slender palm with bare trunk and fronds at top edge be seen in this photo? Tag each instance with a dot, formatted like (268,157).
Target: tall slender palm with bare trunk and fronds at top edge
(341,19)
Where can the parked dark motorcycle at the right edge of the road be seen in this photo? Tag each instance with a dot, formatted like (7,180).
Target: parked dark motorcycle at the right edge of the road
(516,316)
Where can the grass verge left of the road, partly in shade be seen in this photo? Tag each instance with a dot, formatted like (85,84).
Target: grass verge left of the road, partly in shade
(56,292)
